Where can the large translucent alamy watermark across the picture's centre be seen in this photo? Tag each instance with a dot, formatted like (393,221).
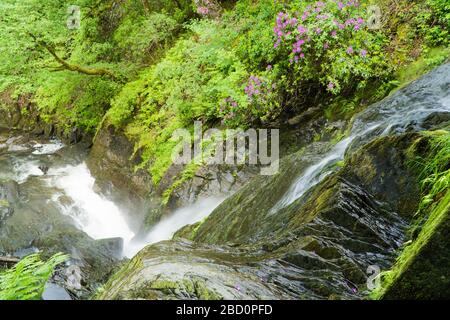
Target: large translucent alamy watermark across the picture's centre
(230,147)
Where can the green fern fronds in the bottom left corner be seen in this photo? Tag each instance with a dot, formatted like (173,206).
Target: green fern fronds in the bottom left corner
(26,280)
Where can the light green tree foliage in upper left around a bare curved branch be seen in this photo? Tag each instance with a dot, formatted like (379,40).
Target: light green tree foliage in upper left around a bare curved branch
(122,38)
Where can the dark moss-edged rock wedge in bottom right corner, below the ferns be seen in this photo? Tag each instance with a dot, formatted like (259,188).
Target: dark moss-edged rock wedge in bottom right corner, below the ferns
(422,270)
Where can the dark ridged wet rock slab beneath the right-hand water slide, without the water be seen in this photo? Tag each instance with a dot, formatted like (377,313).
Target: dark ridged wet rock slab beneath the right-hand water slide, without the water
(318,248)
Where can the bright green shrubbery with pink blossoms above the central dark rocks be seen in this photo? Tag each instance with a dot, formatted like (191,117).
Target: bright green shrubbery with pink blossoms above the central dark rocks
(227,72)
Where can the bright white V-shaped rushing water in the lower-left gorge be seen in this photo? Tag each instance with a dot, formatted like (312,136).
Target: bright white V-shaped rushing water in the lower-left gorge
(101,218)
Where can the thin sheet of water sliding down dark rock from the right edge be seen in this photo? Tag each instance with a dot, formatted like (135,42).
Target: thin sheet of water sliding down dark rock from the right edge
(392,115)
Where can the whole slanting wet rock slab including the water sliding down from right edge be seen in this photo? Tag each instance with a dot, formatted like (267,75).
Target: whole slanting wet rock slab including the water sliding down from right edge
(263,243)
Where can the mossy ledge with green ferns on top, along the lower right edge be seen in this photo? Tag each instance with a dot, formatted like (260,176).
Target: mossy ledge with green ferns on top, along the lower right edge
(422,270)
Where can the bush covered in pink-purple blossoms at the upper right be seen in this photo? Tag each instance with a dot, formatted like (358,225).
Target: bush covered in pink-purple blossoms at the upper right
(330,42)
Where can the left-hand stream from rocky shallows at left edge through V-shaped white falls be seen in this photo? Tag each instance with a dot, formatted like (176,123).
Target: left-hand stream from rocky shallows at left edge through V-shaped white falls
(72,189)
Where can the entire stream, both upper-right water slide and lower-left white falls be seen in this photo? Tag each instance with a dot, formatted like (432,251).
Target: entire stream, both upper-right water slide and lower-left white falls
(59,178)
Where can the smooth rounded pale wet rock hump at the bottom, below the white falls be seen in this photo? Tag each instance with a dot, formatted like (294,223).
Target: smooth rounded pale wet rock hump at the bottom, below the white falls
(183,270)
